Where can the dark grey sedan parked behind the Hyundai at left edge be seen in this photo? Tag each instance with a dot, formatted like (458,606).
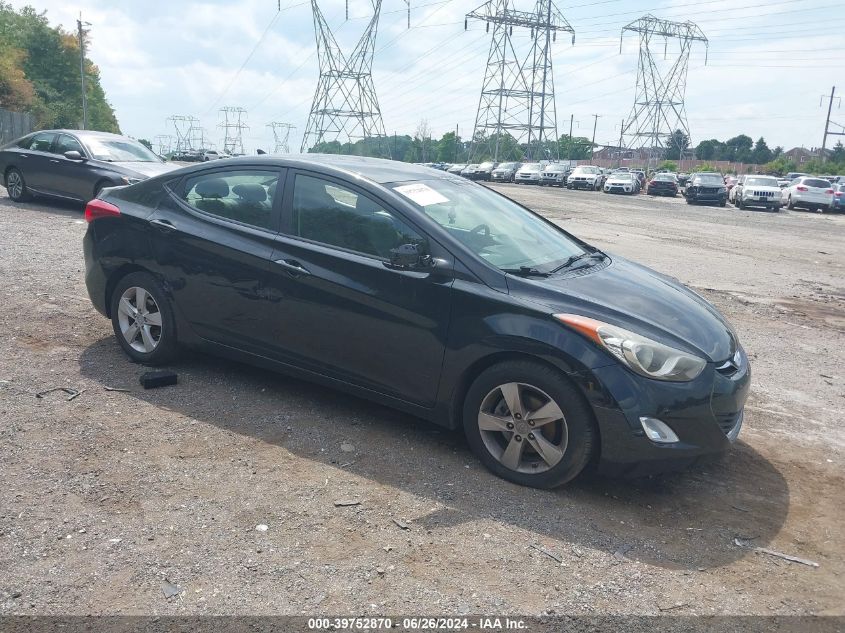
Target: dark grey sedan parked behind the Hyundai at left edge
(74,164)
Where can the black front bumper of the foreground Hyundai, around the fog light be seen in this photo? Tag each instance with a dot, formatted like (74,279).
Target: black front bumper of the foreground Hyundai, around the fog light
(706,414)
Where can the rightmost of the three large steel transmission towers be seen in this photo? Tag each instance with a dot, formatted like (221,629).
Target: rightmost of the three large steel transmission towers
(659,107)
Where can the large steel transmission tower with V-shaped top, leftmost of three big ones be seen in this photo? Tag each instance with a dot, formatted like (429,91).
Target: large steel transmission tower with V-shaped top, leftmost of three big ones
(345,108)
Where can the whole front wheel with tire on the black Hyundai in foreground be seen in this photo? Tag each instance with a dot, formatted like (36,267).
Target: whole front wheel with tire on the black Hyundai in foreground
(528,425)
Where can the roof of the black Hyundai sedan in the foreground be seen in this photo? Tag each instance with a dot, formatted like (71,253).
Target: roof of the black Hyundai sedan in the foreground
(378,170)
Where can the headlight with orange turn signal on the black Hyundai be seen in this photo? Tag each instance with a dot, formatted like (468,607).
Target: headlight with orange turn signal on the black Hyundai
(640,354)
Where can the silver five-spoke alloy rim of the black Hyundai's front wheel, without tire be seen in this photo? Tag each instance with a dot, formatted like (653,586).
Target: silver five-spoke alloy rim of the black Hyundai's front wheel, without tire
(523,428)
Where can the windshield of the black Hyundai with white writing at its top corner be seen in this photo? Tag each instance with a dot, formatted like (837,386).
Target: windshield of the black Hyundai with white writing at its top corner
(490,225)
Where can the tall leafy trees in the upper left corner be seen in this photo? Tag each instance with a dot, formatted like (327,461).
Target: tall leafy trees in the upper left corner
(39,73)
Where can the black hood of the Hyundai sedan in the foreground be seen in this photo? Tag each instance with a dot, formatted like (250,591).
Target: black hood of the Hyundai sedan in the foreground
(626,294)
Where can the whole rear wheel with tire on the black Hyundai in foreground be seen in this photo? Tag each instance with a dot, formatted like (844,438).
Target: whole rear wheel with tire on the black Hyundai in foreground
(148,338)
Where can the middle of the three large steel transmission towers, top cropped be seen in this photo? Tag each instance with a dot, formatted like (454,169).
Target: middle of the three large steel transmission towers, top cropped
(517,105)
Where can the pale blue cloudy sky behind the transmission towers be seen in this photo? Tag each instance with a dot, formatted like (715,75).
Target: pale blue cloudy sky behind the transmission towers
(768,63)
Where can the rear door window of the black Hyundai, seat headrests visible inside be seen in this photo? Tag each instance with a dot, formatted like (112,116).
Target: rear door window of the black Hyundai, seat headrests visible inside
(243,195)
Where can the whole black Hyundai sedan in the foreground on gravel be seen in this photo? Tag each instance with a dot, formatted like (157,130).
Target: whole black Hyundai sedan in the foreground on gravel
(428,293)
